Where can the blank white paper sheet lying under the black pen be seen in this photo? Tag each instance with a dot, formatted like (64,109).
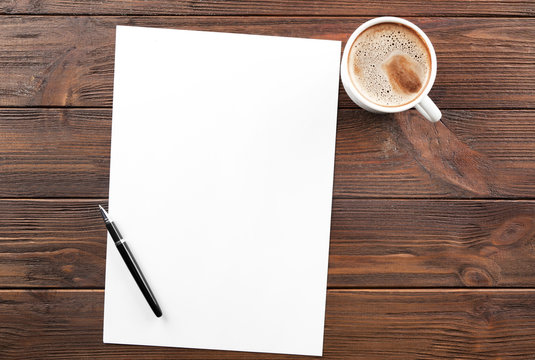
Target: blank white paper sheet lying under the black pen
(221,180)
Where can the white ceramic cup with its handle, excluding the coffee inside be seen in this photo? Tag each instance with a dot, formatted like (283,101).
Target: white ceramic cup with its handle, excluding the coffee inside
(422,102)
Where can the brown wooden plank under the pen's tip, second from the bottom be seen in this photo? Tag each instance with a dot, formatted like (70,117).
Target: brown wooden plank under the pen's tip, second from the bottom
(374,243)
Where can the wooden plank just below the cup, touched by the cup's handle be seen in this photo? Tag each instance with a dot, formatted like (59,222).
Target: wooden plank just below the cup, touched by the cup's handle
(483,154)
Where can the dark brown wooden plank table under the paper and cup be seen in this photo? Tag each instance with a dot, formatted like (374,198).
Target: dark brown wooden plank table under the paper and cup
(433,227)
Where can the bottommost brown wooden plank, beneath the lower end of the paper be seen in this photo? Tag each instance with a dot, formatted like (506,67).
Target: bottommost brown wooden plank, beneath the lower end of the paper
(360,324)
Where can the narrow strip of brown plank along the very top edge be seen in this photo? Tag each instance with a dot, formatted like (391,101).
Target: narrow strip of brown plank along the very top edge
(271,7)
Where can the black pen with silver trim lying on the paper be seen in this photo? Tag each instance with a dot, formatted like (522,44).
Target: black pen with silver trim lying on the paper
(131,263)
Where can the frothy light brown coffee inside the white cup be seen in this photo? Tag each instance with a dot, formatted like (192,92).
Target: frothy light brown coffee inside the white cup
(389,64)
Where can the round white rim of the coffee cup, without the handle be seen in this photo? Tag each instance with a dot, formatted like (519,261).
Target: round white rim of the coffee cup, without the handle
(346,79)
